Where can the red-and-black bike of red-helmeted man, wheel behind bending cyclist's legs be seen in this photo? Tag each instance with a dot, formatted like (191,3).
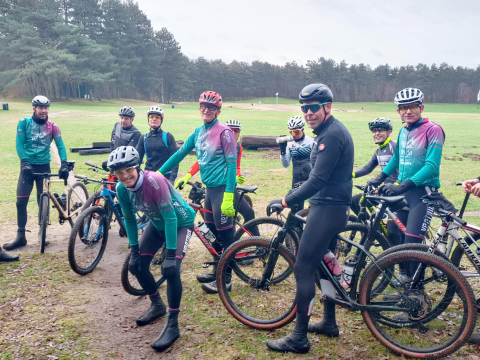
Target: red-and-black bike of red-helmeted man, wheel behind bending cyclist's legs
(197,197)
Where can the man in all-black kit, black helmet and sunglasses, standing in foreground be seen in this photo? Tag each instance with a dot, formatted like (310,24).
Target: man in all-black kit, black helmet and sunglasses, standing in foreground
(329,188)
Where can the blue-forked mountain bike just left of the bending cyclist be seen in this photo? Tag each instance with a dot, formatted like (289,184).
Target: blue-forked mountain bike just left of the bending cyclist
(89,236)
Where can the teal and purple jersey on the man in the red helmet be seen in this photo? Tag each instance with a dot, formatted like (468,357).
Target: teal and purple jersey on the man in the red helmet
(216,150)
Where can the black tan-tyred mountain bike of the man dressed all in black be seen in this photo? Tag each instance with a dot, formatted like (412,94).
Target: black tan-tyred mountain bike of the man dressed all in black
(415,320)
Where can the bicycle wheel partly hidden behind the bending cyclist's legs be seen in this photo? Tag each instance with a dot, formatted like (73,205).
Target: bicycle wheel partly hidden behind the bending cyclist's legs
(130,283)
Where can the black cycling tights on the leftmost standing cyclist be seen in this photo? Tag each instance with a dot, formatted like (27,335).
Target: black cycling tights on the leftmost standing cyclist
(24,189)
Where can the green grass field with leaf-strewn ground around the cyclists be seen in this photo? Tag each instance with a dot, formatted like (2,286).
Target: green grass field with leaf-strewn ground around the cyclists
(83,122)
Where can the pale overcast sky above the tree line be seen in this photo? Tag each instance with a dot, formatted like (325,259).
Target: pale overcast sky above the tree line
(397,32)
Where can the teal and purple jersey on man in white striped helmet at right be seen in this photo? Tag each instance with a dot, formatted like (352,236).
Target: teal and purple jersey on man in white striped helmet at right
(418,154)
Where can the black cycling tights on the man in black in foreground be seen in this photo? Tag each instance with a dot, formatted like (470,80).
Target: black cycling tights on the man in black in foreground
(323,223)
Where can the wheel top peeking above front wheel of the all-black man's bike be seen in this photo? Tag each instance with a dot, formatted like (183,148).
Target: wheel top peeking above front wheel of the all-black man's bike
(268,227)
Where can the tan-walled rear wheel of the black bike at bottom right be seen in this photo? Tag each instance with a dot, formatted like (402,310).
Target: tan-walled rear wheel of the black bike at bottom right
(406,337)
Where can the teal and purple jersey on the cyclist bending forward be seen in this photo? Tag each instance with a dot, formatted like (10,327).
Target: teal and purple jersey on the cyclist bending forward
(160,202)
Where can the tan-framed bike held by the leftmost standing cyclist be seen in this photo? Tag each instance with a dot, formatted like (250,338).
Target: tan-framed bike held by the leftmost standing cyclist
(69,204)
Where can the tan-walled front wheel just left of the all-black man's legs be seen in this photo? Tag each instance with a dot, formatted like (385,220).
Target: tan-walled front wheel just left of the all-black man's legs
(264,307)
